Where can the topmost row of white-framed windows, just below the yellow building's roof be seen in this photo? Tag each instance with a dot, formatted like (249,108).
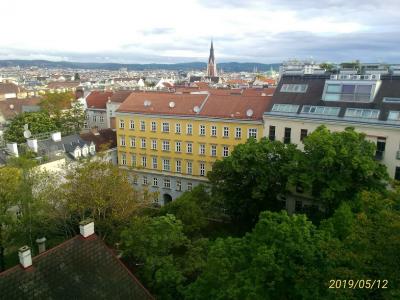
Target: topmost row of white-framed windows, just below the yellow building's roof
(165,127)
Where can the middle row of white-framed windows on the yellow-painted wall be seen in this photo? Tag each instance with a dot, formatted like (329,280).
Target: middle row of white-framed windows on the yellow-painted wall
(166,146)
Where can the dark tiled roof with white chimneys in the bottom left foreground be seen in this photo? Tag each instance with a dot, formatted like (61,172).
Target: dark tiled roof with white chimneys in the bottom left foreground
(77,269)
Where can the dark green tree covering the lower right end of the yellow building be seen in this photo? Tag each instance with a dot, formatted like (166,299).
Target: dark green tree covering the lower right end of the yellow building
(249,180)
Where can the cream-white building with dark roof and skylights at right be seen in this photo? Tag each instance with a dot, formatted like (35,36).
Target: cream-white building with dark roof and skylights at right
(370,103)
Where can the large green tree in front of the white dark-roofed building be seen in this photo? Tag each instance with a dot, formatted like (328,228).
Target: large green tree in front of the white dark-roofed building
(336,166)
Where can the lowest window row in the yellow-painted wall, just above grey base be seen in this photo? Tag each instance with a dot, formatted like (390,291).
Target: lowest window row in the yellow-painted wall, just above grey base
(165,164)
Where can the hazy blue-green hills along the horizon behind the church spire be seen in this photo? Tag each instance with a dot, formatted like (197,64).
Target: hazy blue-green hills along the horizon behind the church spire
(227,67)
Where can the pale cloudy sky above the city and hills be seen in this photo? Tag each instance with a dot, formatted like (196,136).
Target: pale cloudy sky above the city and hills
(159,31)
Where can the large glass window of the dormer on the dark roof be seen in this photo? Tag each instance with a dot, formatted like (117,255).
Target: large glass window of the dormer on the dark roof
(353,92)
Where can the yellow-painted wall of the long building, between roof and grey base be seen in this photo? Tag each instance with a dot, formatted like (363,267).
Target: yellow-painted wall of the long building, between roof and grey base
(203,145)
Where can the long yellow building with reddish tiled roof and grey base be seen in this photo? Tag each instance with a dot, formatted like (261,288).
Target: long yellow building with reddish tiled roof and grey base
(172,140)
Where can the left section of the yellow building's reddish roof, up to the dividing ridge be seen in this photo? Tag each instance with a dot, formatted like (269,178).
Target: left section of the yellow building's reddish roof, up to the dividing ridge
(159,103)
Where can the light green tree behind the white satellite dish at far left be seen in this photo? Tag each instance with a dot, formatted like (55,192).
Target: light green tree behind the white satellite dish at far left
(39,122)
